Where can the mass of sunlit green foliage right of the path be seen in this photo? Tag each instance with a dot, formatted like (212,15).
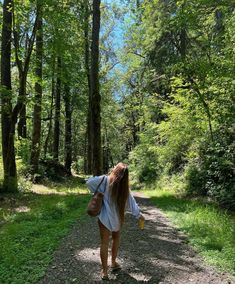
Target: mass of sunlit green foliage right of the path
(179,57)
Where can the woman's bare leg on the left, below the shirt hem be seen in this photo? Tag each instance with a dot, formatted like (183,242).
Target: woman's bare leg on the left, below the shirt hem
(104,237)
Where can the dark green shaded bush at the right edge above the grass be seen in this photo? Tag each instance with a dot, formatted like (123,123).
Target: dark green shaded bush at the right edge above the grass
(212,173)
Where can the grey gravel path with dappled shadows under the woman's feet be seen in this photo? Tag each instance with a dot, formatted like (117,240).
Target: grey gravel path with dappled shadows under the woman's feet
(158,254)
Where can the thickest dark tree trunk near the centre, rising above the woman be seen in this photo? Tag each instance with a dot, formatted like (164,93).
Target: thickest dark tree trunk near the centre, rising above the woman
(95,94)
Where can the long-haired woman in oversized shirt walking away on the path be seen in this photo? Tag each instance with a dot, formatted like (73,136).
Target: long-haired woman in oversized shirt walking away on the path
(117,199)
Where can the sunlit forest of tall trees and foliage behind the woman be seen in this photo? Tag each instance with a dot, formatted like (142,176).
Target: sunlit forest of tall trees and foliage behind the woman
(87,84)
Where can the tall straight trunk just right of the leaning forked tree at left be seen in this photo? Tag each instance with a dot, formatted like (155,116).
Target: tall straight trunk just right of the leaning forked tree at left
(36,136)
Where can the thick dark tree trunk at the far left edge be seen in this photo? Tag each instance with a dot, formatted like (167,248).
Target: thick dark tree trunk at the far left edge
(8,127)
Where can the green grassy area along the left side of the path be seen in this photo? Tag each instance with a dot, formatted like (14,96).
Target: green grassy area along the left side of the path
(32,226)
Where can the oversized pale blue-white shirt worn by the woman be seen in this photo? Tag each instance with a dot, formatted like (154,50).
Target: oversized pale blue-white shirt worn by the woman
(109,216)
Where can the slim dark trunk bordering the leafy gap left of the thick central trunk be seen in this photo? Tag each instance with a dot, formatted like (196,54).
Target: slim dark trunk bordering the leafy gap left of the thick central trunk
(68,130)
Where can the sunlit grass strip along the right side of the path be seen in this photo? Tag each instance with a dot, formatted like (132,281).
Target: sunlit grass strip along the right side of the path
(210,230)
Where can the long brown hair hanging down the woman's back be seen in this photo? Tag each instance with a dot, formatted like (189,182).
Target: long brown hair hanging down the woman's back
(119,186)
